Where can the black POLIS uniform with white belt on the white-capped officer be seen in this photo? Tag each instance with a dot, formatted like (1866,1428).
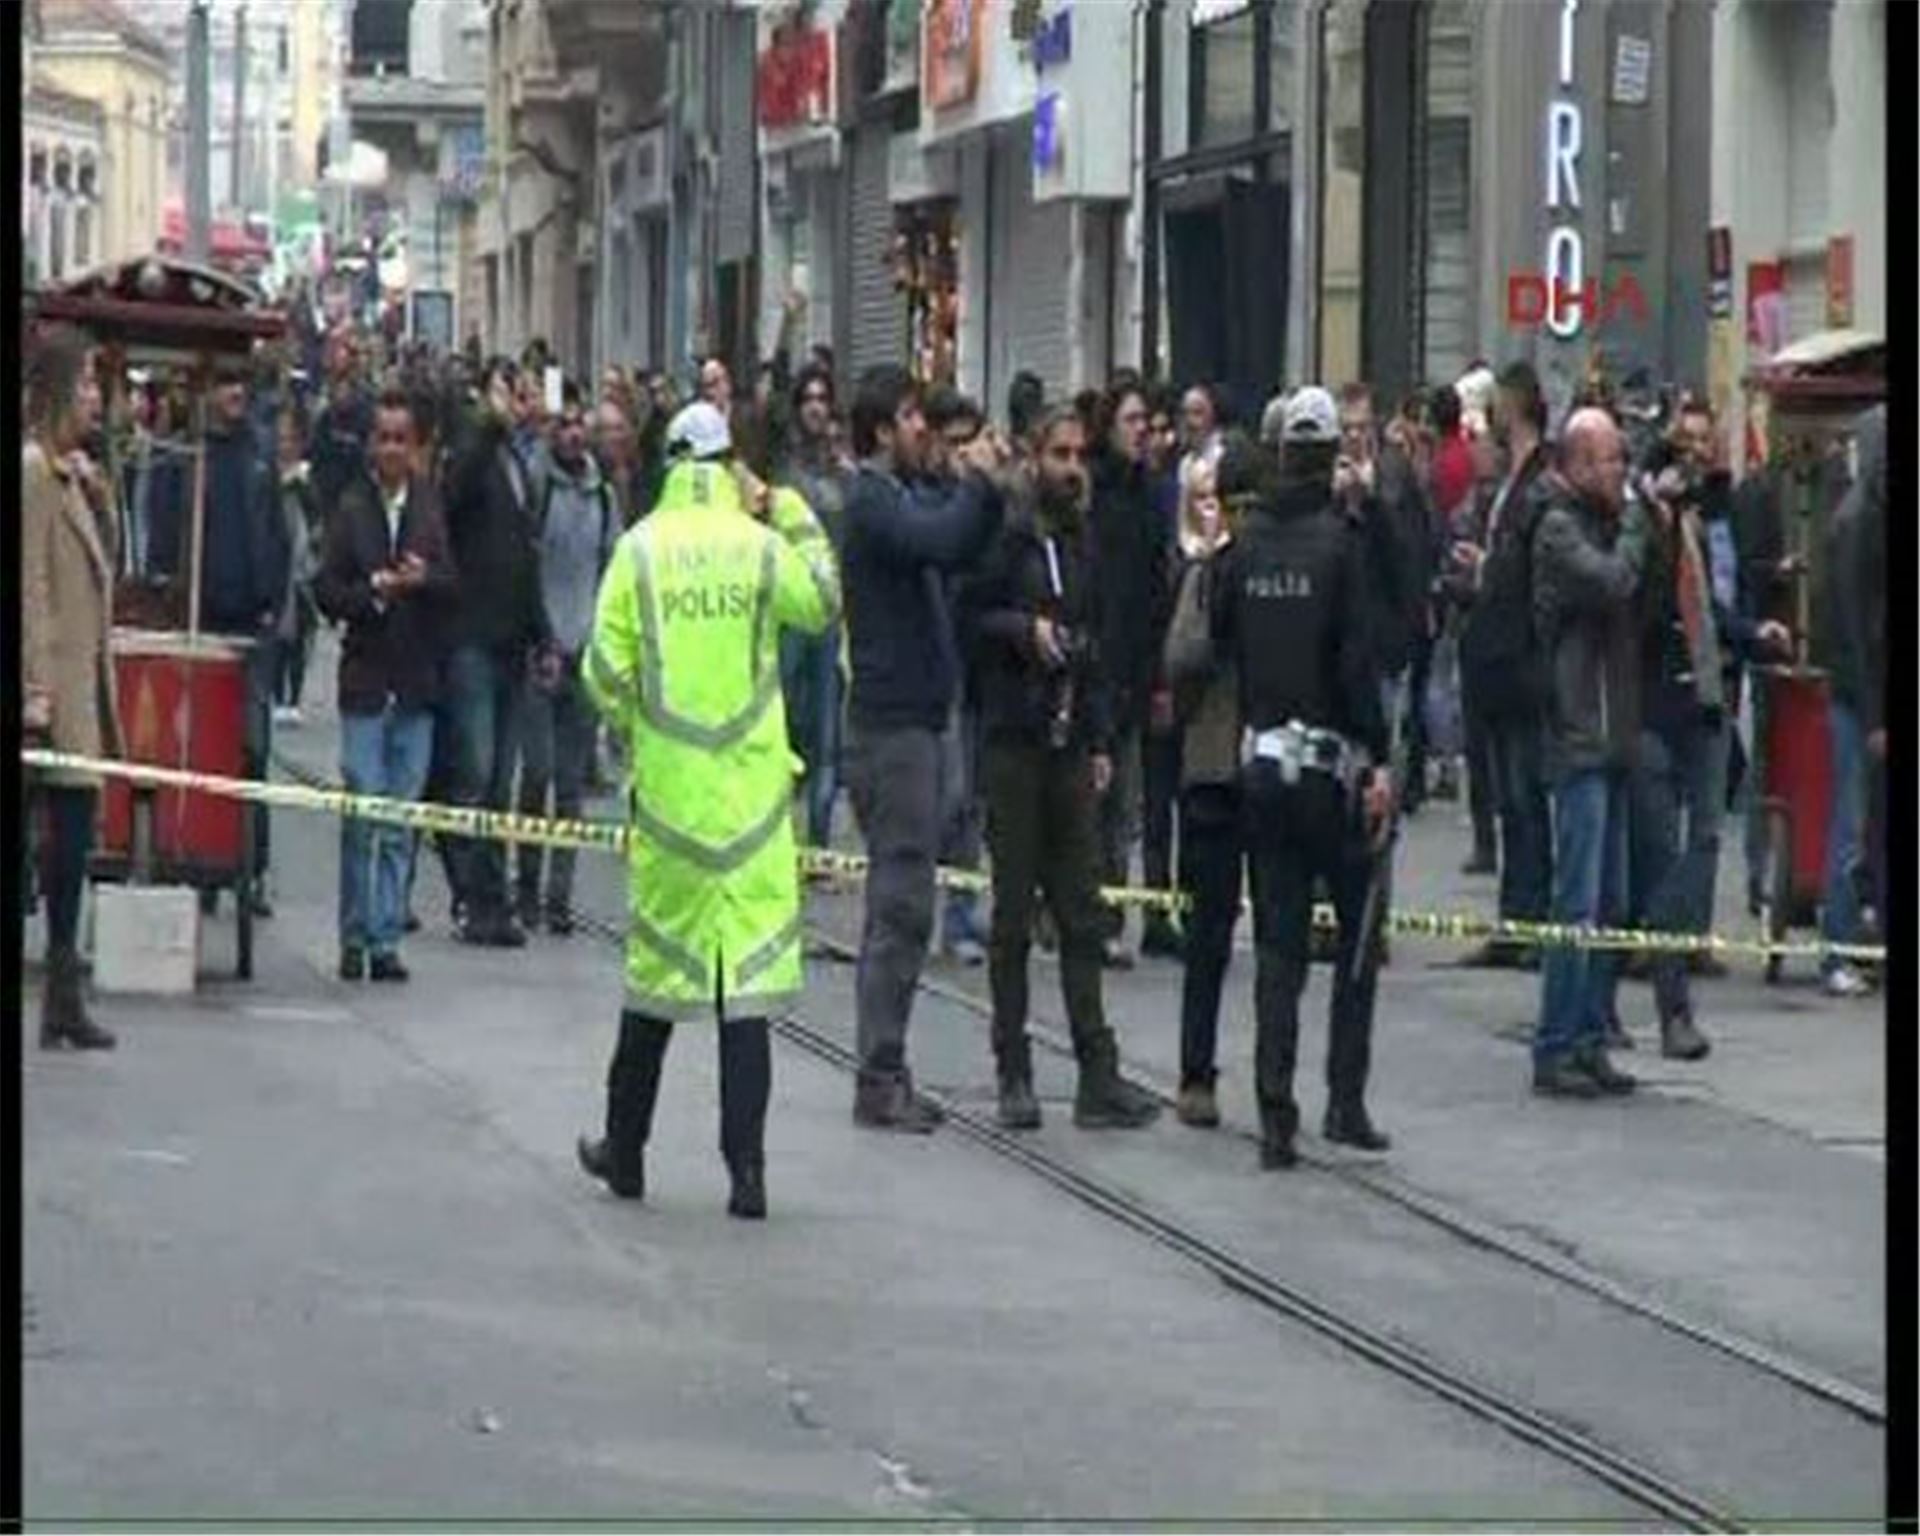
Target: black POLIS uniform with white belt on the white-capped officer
(1289,613)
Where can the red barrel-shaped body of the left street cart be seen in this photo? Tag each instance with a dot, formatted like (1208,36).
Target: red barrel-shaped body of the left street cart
(183,706)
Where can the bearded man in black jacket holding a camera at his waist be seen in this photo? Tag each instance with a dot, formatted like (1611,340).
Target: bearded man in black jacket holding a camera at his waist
(1034,615)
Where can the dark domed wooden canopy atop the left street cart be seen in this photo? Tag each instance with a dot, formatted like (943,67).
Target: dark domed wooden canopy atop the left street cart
(162,306)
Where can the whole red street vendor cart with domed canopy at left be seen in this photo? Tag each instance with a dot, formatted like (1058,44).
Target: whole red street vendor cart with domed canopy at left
(183,696)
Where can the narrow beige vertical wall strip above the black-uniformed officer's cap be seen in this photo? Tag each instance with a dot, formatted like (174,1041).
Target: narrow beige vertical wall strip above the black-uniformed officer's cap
(1343,62)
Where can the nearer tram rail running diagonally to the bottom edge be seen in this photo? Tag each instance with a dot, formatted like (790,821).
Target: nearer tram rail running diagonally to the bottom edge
(1664,1497)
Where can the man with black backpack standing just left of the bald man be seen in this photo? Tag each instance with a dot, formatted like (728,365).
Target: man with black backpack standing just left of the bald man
(1502,661)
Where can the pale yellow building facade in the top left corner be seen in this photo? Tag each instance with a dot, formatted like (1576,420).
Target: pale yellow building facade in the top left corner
(97,53)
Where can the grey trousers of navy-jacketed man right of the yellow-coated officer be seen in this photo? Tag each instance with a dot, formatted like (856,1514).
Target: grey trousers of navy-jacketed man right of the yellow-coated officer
(896,780)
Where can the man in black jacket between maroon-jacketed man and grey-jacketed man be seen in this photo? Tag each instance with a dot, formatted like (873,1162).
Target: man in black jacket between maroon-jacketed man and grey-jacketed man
(496,631)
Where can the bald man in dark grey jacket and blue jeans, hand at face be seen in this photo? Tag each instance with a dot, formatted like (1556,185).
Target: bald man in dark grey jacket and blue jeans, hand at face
(1587,562)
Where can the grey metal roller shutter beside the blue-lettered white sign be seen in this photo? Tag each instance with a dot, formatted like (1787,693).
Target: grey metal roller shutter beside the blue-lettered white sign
(1034,251)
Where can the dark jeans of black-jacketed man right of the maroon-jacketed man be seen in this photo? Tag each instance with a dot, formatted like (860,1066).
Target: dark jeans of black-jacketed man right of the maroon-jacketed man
(483,702)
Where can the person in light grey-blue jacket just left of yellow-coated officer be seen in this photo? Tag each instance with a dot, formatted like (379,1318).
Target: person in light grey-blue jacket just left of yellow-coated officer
(575,527)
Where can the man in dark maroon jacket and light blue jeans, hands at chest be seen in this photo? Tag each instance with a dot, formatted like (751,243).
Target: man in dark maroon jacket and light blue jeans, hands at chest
(385,575)
